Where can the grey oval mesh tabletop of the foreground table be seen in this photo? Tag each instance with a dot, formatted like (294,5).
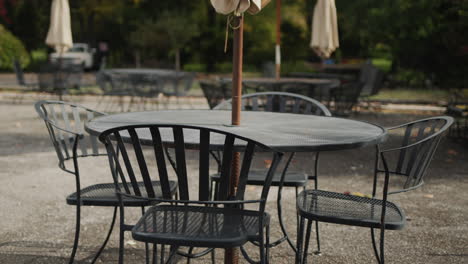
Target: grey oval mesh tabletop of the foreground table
(281,131)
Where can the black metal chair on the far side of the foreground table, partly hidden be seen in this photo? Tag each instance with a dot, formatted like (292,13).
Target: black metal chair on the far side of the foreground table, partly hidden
(281,102)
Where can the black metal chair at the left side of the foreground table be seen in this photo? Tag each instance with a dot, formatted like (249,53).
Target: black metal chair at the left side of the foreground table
(65,124)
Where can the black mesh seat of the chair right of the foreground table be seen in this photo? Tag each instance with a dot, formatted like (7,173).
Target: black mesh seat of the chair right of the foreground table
(348,209)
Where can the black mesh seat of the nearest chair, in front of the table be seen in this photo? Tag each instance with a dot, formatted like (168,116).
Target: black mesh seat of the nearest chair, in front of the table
(198,226)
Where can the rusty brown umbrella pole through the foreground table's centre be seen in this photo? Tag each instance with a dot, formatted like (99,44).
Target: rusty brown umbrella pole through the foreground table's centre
(231,255)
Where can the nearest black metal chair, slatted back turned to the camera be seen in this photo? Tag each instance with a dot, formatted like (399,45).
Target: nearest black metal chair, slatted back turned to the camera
(193,219)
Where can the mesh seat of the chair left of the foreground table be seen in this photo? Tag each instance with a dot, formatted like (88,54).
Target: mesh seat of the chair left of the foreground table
(104,195)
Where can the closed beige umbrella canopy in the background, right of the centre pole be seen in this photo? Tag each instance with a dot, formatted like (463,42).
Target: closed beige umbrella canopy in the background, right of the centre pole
(324,28)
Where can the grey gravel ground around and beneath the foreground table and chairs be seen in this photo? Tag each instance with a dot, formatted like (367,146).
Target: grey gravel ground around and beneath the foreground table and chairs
(37,226)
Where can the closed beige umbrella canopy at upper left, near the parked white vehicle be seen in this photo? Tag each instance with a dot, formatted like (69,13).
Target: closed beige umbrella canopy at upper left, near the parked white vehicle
(59,35)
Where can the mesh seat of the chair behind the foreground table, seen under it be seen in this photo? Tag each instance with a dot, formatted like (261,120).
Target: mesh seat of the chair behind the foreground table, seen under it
(293,179)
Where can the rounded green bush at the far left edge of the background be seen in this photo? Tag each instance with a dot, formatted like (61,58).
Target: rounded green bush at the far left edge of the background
(11,48)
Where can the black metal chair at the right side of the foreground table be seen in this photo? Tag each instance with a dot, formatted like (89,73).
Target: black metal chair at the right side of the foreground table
(406,156)
